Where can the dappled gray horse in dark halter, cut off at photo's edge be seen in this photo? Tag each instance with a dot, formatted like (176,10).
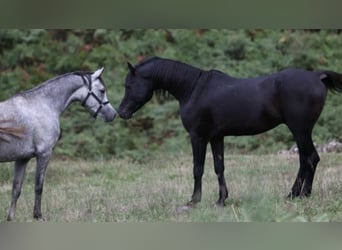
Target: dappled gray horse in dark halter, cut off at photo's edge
(30,124)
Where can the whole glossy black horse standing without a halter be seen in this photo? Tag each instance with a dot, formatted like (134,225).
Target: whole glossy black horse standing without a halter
(213,105)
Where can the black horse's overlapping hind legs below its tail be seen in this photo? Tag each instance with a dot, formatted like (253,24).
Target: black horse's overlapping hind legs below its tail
(308,158)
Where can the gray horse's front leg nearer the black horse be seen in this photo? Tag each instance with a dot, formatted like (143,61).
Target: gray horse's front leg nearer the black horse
(42,163)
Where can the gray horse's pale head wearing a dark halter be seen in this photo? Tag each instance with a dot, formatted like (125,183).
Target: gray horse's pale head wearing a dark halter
(96,98)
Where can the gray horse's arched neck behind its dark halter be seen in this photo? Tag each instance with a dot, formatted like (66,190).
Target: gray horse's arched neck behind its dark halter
(57,93)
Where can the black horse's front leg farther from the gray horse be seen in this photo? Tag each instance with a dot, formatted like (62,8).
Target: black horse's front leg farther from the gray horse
(218,155)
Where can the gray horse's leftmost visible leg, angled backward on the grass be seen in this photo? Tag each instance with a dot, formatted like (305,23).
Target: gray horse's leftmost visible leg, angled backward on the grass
(19,173)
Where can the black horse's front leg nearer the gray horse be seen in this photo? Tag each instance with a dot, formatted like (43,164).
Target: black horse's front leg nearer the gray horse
(199,147)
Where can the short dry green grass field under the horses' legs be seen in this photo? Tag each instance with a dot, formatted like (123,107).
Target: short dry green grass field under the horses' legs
(121,190)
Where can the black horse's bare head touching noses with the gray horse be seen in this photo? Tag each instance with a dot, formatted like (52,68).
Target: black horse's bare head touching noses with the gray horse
(138,91)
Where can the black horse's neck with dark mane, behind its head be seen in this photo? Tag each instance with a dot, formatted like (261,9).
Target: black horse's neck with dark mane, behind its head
(179,79)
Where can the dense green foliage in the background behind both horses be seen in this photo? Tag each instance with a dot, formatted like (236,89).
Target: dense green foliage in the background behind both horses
(29,57)
